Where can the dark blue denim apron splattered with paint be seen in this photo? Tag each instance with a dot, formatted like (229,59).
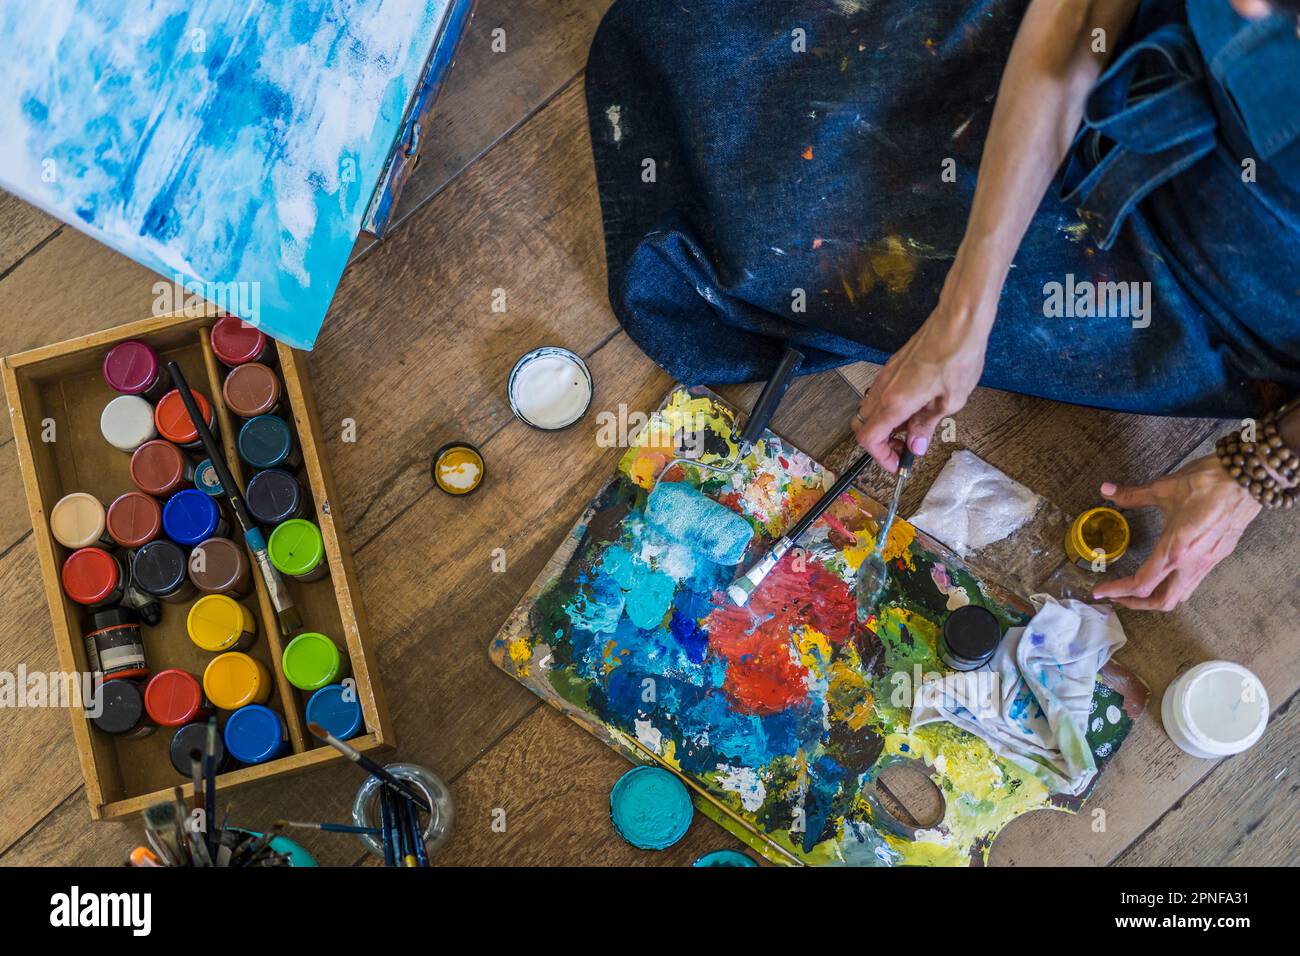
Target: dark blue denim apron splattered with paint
(800,172)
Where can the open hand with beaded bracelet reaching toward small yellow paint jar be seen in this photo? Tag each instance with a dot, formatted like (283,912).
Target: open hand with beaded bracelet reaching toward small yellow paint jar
(1206,513)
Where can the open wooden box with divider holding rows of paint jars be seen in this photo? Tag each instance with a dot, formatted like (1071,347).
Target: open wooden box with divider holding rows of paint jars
(60,391)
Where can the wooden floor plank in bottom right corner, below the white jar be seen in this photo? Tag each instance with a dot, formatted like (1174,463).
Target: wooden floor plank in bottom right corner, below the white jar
(1243,814)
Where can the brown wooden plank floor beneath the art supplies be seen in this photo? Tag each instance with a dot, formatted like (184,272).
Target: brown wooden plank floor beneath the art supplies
(413,352)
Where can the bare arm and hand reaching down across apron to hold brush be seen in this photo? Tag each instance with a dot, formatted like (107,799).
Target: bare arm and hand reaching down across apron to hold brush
(1039,107)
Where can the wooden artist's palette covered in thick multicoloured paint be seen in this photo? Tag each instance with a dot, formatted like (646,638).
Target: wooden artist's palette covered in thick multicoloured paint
(783,716)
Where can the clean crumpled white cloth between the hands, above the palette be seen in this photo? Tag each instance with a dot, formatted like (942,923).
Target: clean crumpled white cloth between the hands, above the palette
(973,504)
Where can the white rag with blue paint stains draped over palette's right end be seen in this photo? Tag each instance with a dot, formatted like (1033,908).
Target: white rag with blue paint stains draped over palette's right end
(1032,702)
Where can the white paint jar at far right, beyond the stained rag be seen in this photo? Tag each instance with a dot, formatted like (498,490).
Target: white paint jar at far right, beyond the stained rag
(1216,710)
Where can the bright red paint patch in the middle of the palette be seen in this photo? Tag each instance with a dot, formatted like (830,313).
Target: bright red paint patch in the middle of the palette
(764,672)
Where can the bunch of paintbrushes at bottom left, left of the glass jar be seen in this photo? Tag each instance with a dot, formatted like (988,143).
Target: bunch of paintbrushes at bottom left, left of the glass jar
(187,837)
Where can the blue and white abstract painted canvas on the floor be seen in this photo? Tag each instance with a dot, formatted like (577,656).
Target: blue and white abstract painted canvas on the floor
(232,146)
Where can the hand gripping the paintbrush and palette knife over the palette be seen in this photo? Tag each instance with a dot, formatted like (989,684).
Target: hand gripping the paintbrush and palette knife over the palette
(925,382)
